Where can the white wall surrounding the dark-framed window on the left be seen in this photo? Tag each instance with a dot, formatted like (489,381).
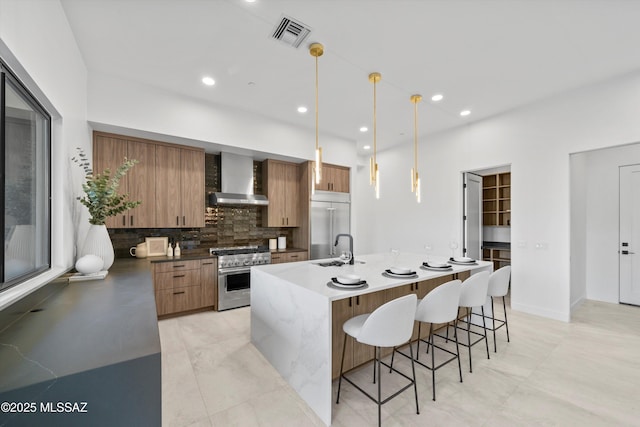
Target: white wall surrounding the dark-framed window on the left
(37,43)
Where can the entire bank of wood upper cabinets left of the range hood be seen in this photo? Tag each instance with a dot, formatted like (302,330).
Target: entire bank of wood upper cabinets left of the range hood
(168,179)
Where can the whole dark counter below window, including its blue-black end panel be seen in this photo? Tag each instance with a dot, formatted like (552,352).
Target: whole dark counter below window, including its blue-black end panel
(92,346)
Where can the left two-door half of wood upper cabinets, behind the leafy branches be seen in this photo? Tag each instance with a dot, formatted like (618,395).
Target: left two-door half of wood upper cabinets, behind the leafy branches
(139,182)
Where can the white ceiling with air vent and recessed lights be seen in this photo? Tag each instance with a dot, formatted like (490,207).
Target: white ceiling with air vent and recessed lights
(489,56)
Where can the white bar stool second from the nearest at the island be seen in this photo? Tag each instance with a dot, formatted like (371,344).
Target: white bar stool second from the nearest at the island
(438,306)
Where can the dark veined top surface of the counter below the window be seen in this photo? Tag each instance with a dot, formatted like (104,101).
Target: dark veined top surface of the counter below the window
(82,326)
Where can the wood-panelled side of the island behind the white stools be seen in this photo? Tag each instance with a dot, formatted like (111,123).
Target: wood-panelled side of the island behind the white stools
(342,310)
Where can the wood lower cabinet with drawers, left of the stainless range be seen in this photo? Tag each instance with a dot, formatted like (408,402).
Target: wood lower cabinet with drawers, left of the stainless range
(182,286)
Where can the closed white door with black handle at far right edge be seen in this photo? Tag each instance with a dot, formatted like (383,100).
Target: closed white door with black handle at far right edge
(629,255)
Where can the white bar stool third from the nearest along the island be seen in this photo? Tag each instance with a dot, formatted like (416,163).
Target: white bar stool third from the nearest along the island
(474,294)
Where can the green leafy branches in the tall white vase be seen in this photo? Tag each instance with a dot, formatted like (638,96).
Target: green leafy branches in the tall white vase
(101,190)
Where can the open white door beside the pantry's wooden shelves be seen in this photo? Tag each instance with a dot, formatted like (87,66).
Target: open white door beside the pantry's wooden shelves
(472,215)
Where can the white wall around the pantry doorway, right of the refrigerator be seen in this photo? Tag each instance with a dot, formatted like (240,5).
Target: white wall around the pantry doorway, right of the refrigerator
(537,141)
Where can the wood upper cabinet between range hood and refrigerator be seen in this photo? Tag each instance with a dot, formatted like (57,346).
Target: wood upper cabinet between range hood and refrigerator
(282,187)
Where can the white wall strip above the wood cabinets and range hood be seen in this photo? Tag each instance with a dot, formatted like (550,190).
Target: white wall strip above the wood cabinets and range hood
(125,104)
